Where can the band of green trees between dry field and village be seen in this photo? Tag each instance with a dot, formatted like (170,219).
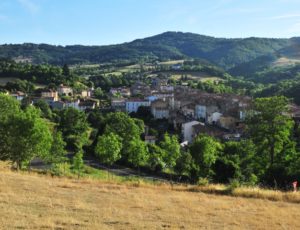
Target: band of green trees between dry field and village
(269,155)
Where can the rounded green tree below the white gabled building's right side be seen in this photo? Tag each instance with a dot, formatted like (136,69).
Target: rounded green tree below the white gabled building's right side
(205,150)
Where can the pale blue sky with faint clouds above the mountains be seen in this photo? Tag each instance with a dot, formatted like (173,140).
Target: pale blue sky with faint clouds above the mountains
(100,22)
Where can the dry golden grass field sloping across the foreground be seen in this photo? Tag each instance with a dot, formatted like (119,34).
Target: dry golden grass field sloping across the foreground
(31,201)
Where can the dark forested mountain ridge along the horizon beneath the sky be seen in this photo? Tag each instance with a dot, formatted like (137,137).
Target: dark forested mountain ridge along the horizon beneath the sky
(226,53)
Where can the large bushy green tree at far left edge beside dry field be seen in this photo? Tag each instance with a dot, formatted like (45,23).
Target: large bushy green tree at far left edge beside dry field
(24,136)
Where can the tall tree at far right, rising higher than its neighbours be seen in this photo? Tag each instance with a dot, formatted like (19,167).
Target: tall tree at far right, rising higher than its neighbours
(270,127)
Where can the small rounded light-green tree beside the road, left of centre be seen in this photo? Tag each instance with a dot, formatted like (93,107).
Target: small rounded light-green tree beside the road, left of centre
(108,148)
